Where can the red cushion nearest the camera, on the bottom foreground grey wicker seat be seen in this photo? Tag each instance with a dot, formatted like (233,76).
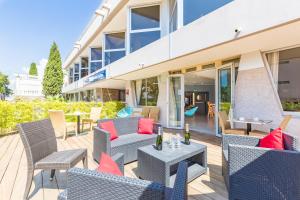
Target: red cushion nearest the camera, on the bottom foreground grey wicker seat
(108,165)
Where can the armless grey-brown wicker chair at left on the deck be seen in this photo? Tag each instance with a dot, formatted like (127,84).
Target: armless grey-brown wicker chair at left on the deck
(41,151)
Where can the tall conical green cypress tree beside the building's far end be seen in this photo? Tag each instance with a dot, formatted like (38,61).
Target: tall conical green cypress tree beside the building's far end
(53,76)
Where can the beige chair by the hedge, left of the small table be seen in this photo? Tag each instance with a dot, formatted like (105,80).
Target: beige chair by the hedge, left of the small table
(61,127)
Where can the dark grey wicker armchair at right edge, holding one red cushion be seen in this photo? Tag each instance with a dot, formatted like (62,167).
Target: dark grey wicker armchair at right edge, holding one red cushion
(251,172)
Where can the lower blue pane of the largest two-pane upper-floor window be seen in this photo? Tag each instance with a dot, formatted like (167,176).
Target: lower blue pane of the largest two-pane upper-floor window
(139,40)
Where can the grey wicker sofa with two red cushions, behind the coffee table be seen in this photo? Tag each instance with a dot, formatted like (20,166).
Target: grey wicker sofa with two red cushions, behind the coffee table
(127,143)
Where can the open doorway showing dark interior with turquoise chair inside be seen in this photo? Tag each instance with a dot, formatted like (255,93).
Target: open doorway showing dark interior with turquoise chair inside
(199,100)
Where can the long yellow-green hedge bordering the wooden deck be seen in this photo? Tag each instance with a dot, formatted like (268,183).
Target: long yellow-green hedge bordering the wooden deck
(12,113)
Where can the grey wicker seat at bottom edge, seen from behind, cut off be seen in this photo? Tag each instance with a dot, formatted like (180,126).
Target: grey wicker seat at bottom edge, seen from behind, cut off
(91,185)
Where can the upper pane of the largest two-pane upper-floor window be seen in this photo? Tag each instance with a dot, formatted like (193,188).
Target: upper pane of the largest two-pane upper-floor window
(145,17)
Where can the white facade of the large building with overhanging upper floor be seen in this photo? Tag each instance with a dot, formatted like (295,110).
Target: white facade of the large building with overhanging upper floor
(240,29)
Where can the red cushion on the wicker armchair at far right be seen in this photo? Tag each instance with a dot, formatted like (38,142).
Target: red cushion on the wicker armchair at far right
(273,140)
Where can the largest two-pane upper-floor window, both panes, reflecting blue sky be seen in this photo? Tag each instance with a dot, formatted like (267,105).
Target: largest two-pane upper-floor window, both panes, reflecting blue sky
(144,26)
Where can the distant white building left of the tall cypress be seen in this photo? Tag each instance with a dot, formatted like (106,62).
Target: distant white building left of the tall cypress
(26,86)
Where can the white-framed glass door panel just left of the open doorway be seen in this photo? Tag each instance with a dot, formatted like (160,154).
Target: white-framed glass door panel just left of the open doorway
(175,101)
